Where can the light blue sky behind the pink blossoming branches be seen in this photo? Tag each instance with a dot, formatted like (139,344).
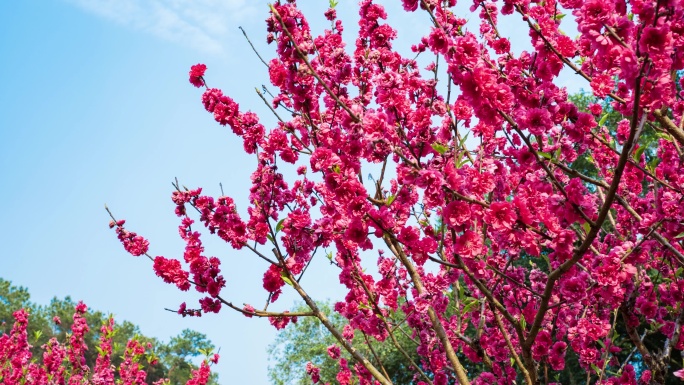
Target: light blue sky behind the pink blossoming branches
(95,108)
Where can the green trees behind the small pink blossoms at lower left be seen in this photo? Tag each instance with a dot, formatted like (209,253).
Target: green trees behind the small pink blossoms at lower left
(53,323)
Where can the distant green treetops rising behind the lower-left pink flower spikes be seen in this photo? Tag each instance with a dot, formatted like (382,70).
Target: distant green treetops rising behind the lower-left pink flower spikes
(175,358)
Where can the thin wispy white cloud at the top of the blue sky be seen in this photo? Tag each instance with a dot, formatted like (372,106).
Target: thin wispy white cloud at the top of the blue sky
(205,25)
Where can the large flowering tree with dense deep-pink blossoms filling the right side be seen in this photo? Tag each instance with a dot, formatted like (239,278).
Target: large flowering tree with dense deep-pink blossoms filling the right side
(499,260)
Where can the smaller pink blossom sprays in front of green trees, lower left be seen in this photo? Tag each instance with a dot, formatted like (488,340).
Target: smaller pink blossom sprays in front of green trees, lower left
(65,362)
